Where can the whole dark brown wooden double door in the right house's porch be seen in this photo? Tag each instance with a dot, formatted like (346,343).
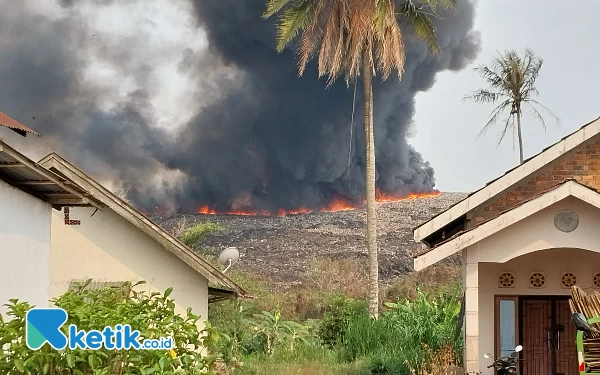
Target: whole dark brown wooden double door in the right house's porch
(547,336)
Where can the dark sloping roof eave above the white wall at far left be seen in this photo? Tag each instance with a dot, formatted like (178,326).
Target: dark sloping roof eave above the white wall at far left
(26,175)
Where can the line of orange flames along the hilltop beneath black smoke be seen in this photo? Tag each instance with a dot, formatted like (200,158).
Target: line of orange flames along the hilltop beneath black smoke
(336,205)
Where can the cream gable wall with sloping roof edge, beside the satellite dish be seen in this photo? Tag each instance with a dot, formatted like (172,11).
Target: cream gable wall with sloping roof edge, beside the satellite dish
(118,244)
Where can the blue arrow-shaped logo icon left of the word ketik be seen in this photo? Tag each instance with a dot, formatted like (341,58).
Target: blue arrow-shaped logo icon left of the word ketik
(43,326)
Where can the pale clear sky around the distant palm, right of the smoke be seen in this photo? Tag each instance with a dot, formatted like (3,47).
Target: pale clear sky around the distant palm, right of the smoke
(446,128)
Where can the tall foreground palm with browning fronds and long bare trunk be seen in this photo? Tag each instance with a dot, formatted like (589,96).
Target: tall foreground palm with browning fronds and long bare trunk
(349,35)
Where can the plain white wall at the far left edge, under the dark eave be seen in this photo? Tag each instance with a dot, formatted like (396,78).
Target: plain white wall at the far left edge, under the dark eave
(24,247)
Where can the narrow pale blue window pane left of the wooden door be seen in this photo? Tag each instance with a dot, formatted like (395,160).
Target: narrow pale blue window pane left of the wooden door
(506,325)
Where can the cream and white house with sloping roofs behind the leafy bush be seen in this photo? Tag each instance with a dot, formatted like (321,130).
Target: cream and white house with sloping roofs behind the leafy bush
(59,227)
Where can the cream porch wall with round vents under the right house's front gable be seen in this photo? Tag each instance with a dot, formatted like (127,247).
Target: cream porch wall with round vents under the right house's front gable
(534,245)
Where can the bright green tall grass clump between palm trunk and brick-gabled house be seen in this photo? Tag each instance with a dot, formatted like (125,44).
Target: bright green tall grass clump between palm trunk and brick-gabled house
(408,336)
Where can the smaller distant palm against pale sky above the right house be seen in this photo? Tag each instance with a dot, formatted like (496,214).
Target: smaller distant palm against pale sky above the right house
(511,79)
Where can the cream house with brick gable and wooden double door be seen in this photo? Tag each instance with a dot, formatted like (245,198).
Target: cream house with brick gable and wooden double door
(525,238)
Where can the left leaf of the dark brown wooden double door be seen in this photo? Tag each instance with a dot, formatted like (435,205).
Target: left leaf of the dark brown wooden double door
(536,321)
